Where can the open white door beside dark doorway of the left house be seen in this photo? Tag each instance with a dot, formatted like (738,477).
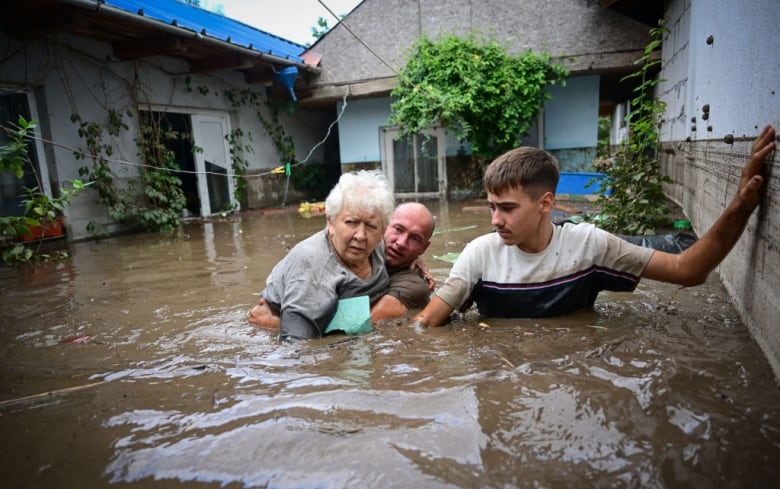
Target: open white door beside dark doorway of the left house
(216,187)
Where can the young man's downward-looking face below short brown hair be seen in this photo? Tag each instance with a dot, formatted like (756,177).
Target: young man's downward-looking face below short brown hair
(519,219)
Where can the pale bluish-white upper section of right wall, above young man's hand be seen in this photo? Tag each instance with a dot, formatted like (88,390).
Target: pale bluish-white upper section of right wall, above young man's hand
(737,74)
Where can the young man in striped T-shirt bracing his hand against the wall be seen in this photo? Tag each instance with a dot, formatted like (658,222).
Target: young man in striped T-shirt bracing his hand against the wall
(529,267)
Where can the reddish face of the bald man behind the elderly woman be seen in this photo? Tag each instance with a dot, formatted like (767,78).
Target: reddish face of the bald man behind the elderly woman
(407,236)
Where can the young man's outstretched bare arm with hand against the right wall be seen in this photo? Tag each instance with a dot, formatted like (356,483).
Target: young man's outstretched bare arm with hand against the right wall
(692,266)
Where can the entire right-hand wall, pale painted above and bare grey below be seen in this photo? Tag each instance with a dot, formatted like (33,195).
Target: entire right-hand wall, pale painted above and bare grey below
(738,76)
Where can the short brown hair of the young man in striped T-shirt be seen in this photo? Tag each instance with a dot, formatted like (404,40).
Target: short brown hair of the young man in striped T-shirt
(530,169)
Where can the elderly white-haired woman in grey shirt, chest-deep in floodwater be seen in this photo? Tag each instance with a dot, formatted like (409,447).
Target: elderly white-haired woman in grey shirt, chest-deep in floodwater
(344,260)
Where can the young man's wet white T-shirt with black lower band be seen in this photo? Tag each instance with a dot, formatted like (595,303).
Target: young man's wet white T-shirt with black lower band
(506,282)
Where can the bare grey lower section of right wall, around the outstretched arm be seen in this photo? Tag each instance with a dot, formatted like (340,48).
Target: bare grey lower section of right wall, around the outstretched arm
(706,175)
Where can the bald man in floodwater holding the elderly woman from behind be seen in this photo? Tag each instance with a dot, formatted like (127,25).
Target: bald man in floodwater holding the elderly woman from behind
(406,238)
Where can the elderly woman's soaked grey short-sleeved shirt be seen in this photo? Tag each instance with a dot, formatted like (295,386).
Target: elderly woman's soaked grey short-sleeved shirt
(307,283)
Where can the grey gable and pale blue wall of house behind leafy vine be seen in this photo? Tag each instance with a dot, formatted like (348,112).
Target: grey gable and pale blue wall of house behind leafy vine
(595,39)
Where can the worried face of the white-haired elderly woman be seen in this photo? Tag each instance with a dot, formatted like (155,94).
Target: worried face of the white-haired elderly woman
(354,234)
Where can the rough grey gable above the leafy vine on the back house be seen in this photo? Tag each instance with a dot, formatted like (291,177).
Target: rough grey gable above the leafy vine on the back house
(590,37)
